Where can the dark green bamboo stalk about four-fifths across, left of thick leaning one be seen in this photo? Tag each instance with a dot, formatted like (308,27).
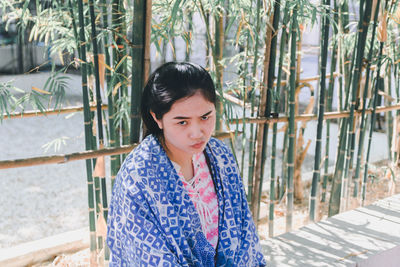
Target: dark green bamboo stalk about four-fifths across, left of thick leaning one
(318,142)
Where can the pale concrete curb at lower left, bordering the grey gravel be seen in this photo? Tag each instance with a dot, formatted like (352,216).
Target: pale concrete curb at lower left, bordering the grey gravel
(44,249)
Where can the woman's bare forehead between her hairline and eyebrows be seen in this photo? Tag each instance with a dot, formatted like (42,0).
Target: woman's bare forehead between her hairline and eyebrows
(195,105)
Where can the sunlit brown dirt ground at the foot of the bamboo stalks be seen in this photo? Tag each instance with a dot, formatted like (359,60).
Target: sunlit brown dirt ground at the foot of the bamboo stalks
(384,181)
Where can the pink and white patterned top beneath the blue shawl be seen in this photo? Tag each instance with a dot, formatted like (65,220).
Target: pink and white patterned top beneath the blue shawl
(202,193)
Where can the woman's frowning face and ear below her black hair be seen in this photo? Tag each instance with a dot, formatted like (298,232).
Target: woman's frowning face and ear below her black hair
(188,125)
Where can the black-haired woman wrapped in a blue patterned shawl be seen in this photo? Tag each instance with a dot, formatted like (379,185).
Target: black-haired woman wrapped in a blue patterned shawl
(178,199)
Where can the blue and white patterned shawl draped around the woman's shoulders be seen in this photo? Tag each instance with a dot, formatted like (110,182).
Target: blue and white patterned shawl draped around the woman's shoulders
(153,222)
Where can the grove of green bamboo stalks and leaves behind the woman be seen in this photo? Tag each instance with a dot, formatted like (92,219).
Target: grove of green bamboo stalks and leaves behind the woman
(254,52)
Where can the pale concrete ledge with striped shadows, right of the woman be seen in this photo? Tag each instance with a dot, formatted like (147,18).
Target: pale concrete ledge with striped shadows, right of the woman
(365,237)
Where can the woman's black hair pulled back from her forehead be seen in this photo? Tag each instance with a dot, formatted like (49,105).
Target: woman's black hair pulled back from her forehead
(168,83)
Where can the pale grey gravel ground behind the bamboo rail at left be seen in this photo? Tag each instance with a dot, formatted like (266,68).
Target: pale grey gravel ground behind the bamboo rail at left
(42,200)
